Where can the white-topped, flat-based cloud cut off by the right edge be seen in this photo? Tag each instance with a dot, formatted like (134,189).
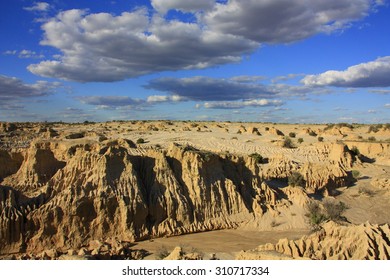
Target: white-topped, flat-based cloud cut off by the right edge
(370,74)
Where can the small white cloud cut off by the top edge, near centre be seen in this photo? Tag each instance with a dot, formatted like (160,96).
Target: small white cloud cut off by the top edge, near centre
(162,6)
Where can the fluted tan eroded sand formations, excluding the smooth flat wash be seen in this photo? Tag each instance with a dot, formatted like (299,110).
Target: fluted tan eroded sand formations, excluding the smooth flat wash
(64,187)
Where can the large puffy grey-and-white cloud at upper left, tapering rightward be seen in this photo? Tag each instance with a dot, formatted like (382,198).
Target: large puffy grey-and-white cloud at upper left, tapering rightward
(104,47)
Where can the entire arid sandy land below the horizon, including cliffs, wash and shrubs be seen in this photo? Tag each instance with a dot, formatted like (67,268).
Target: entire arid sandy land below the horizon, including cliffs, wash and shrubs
(194,190)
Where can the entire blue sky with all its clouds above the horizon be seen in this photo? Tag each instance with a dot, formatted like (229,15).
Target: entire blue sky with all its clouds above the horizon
(304,61)
